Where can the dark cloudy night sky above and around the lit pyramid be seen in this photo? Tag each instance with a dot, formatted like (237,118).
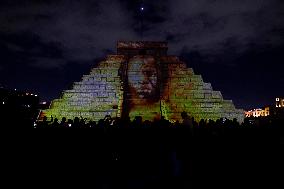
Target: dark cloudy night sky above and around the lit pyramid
(238,46)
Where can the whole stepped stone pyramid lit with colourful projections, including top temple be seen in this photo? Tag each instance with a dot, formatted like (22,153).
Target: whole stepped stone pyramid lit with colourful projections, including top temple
(142,80)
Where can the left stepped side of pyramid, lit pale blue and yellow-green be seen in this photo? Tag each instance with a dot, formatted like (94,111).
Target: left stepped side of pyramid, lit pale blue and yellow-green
(98,94)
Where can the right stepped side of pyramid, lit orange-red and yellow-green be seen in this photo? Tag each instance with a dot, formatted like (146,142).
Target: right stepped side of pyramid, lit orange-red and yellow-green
(187,92)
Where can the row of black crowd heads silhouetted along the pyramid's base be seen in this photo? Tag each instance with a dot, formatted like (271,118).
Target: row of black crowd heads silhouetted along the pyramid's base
(188,122)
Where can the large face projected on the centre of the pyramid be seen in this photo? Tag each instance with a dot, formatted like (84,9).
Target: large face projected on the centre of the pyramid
(142,78)
